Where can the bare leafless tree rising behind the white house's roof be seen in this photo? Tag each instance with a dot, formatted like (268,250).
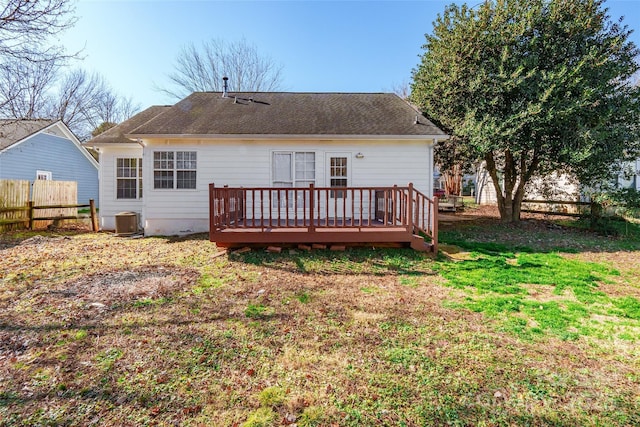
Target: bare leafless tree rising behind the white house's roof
(201,68)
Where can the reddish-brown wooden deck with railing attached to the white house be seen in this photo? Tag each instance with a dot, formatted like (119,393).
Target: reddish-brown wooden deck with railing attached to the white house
(345,215)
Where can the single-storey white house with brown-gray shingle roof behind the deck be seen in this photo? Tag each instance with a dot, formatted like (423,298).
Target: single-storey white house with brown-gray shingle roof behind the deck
(160,163)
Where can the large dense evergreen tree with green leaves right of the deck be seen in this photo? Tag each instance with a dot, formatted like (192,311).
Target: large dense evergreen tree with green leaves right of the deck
(531,87)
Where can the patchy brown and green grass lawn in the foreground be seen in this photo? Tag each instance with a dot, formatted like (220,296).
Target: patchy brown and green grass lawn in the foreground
(536,324)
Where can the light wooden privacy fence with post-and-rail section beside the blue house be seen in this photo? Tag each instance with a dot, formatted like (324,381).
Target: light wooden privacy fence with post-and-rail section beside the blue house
(51,201)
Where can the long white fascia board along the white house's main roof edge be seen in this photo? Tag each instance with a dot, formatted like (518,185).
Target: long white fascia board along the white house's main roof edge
(288,136)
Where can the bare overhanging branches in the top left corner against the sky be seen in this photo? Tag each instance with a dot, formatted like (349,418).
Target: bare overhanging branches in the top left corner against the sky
(27,25)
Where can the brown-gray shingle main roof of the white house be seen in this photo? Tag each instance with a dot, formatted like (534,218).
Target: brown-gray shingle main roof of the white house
(286,113)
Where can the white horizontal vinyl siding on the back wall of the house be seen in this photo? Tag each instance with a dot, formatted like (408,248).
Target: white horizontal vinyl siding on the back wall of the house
(249,163)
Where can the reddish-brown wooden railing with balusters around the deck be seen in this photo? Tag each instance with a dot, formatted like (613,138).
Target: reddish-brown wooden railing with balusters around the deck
(313,208)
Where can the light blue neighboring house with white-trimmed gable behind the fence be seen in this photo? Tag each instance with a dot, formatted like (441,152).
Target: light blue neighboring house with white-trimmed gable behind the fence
(46,149)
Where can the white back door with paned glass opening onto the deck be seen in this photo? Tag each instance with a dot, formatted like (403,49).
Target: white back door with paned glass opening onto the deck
(339,176)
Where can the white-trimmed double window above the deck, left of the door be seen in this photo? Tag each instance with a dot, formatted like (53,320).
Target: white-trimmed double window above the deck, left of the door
(293,169)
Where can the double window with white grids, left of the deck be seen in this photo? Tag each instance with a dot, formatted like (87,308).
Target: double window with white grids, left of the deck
(174,169)
